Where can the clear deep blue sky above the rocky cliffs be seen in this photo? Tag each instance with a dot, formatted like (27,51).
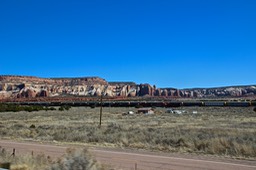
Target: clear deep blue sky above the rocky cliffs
(169,43)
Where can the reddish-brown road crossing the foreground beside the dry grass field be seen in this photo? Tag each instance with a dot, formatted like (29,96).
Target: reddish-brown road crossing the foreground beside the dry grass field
(120,159)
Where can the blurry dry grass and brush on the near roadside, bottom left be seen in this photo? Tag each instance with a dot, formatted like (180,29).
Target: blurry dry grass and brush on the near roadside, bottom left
(73,159)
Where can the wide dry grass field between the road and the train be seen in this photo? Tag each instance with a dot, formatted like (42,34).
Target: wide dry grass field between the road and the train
(227,131)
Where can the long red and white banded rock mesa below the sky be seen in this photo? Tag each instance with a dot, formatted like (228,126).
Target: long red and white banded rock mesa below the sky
(35,87)
